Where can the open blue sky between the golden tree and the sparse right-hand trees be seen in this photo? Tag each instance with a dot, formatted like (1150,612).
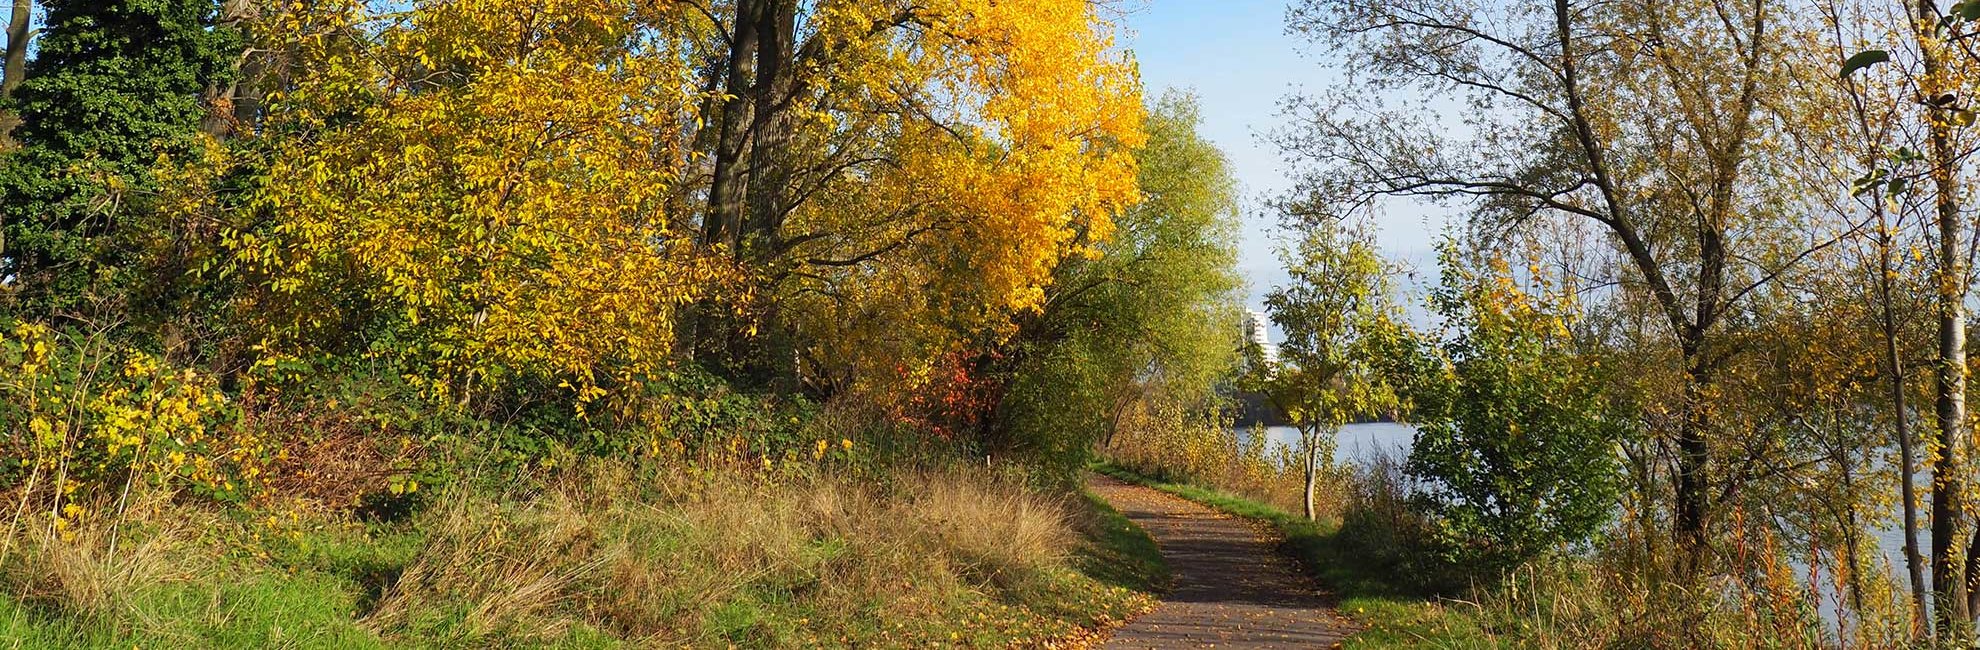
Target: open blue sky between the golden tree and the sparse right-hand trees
(1238,60)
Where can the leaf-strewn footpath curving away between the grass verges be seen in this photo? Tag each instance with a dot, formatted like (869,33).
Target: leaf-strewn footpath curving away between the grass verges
(1235,590)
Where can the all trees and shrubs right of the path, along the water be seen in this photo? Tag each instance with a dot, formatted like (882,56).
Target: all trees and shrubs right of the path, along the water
(1700,332)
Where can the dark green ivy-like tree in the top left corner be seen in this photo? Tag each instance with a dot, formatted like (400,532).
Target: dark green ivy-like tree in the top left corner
(114,86)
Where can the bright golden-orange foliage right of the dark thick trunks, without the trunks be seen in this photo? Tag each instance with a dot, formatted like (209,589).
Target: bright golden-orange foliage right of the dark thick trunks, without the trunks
(1019,158)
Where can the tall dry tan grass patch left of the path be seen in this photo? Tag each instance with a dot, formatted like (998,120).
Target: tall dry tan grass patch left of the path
(714,560)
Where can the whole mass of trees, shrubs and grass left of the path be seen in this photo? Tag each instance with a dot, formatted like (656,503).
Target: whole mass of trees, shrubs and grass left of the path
(587,324)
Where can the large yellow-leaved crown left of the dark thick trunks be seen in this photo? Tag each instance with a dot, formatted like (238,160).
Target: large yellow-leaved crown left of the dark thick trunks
(496,175)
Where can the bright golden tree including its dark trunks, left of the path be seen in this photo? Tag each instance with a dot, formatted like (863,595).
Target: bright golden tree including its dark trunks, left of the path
(904,177)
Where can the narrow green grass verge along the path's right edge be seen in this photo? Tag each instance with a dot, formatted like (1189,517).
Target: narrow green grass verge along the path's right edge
(1393,615)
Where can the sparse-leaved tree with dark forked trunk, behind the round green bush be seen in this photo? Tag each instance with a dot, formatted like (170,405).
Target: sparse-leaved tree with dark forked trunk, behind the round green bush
(1662,148)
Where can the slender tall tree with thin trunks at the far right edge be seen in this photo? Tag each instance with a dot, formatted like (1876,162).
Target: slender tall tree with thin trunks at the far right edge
(1912,148)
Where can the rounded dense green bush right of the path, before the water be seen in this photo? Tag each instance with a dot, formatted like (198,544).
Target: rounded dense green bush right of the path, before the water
(1516,441)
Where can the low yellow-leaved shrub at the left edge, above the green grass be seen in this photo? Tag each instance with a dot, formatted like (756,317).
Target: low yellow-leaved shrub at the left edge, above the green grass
(86,419)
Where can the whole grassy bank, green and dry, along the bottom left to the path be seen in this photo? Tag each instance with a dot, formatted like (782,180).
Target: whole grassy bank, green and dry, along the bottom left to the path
(597,558)
